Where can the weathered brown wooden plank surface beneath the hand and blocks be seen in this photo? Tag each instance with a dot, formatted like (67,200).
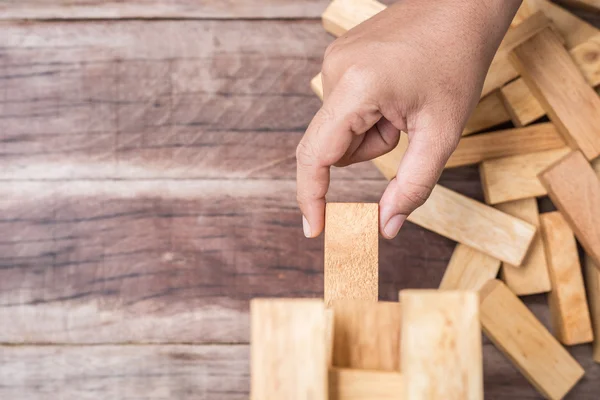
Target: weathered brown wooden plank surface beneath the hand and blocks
(147,193)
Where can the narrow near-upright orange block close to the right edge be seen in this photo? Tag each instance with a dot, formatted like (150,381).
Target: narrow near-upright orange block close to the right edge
(568,305)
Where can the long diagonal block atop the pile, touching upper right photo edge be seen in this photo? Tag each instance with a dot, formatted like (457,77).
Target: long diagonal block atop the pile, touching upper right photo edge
(561,89)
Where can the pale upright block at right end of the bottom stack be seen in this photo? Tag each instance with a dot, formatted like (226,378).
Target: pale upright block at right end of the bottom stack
(441,345)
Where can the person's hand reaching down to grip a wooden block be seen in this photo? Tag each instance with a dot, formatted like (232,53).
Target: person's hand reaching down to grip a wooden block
(417,67)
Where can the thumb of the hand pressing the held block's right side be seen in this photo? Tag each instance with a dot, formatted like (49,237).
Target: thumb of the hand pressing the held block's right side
(427,153)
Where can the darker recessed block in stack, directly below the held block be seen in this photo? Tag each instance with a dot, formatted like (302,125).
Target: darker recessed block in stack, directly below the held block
(366,335)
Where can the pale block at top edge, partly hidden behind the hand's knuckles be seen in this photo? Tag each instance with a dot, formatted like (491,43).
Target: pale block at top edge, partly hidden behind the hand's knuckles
(343,15)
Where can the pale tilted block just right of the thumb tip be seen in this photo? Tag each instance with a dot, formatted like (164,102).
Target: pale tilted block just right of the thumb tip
(469,222)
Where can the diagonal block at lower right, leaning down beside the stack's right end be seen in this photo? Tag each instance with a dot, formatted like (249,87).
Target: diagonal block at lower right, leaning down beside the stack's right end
(533,350)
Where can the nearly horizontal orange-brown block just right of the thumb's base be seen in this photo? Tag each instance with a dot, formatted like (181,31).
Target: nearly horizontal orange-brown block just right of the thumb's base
(504,143)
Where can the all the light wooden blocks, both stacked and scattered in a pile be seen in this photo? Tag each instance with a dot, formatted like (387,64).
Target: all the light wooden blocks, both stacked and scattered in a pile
(428,345)
